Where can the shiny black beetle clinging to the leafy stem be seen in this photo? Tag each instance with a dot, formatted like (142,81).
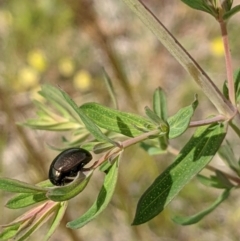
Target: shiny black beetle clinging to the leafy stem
(67,164)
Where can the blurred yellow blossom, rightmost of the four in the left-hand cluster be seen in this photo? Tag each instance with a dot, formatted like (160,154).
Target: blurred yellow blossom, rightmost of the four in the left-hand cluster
(82,80)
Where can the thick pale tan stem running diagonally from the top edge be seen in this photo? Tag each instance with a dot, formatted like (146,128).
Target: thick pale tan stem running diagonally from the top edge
(176,49)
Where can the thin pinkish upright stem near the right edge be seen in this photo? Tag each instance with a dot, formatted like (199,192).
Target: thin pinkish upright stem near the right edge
(228,61)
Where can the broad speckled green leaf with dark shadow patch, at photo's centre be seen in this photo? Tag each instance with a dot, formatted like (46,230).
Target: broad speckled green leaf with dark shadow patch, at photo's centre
(113,120)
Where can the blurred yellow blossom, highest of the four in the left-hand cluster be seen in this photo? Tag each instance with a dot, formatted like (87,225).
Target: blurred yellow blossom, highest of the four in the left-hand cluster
(37,60)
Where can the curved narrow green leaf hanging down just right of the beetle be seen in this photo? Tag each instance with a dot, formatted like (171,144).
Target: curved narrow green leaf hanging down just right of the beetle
(102,201)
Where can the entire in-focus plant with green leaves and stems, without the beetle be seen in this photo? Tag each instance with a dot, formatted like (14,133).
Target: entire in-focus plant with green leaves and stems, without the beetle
(109,132)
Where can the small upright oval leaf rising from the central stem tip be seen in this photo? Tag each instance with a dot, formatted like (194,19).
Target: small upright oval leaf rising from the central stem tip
(160,104)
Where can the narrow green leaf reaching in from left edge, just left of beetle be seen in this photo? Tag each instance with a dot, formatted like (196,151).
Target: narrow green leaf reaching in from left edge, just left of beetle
(12,185)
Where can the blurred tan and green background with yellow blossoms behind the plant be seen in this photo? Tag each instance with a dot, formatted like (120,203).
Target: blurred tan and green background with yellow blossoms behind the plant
(66,43)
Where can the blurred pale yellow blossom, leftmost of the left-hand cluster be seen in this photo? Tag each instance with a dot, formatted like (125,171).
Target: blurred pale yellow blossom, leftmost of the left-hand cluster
(27,78)
